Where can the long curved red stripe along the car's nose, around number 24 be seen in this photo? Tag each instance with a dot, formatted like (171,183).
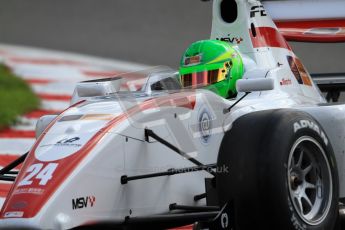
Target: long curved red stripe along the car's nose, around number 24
(69,163)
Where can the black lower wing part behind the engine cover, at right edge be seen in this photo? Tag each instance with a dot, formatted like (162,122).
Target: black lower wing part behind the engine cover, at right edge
(330,83)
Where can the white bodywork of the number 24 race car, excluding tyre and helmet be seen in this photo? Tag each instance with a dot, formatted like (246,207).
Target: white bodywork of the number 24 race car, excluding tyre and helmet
(91,145)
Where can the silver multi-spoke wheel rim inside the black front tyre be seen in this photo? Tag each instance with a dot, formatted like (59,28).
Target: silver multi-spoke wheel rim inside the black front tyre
(309,180)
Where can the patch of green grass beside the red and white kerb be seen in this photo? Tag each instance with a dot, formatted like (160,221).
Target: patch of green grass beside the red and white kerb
(16,97)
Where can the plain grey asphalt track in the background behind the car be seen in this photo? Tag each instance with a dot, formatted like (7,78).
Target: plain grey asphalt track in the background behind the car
(144,31)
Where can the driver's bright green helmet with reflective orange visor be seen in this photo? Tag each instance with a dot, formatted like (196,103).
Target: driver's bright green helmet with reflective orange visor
(212,64)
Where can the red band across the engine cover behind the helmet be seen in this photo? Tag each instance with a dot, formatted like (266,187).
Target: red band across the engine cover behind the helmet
(268,37)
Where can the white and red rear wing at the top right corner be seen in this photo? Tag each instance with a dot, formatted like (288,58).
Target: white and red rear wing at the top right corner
(309,21)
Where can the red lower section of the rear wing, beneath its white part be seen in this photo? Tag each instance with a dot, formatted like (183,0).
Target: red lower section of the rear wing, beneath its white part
(307,31)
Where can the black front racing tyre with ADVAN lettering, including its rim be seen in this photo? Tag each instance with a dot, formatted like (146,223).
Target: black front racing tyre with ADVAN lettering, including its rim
(280,172)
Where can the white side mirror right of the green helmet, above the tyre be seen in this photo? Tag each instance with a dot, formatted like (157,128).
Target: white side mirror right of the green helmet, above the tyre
(252,85)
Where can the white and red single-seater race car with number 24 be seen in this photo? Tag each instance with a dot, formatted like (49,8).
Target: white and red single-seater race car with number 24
(161,156)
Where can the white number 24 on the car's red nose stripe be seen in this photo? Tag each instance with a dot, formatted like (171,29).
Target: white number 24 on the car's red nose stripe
(38,171)
